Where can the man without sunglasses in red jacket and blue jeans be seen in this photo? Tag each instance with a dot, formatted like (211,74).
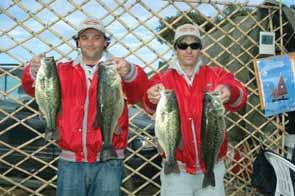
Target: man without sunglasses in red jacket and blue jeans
(80,171)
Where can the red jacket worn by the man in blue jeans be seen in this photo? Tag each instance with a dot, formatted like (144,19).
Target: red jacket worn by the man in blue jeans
(70,119)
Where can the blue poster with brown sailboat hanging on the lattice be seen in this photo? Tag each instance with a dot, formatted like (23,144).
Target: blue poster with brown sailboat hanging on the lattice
(276,83)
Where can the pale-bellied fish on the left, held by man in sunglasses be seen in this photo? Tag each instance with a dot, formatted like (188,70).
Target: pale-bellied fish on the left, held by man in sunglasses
(167,129)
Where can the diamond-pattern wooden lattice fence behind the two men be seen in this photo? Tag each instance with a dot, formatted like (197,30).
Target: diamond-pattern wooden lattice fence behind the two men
(141,32)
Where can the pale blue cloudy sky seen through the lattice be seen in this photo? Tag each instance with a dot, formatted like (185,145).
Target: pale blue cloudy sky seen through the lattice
(33,21)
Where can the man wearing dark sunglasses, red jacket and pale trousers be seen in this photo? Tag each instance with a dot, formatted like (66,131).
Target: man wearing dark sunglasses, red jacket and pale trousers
(189,78)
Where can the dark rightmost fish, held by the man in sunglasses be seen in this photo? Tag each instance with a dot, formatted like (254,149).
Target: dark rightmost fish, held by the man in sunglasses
(212,133)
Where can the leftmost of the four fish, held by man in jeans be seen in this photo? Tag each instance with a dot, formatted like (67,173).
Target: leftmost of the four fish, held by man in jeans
(47,93)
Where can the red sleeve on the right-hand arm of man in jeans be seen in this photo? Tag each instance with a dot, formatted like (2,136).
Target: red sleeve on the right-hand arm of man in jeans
(135,89)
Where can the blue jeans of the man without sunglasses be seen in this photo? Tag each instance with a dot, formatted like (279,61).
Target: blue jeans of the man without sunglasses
(84,179)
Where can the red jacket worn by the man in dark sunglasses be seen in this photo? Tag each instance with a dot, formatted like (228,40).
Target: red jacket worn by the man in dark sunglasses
(189,99)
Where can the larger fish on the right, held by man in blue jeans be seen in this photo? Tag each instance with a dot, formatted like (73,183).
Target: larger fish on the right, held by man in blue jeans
(109,106)
